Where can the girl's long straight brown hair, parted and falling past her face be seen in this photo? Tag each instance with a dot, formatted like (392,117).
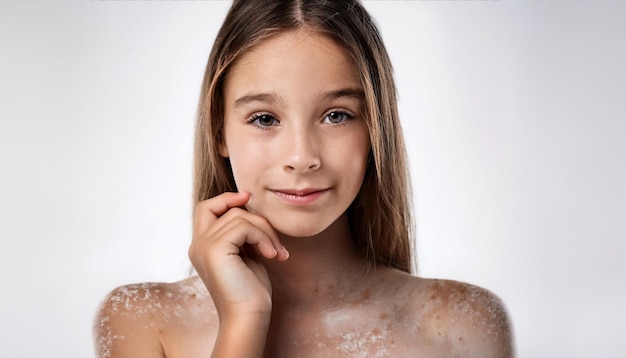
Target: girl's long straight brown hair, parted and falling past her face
(380,216)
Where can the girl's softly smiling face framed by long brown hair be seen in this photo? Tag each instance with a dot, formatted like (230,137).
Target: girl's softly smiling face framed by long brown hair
(294,131)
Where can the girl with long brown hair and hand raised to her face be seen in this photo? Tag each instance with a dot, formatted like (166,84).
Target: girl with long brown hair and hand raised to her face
(301,228)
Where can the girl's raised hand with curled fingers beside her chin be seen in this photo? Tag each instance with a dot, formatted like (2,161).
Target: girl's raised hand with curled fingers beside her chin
(225,251)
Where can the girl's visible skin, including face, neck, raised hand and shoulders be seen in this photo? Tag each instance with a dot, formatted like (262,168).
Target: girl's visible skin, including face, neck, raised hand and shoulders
(278,273)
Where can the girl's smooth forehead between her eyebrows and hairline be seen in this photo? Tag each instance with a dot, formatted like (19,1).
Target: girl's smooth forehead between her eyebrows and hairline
(300,59)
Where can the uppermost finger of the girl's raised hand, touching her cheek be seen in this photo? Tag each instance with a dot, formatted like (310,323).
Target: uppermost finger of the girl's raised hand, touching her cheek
(208,211)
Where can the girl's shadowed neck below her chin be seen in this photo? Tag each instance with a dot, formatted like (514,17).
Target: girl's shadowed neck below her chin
(322,271)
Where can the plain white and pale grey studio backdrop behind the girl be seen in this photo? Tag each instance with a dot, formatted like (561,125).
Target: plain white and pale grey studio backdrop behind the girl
(514,114)
